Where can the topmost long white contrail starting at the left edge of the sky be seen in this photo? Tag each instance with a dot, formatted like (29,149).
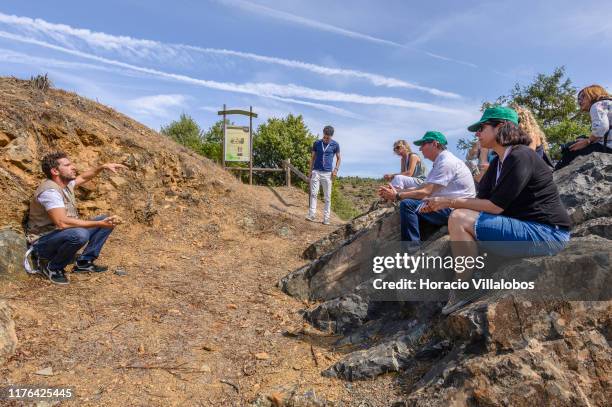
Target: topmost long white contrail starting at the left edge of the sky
(147,49)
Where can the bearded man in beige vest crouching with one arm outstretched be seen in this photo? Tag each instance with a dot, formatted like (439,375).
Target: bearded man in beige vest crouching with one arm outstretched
(54,227)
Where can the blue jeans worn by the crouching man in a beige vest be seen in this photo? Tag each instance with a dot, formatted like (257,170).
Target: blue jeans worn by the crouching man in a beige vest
(61,246)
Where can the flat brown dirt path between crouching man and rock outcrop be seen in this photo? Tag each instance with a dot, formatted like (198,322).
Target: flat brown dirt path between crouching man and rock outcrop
(198,319)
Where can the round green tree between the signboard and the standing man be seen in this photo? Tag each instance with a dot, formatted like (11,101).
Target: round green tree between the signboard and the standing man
(281,139)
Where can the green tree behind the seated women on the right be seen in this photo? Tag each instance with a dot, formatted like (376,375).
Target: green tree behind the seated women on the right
(552,99)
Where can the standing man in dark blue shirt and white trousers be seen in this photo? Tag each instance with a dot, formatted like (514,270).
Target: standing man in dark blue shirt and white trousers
(321,164)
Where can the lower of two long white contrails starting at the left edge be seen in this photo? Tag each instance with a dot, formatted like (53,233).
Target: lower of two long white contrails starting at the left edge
(260,89)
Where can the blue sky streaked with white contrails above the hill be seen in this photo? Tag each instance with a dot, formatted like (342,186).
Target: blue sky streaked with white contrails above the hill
(376,71)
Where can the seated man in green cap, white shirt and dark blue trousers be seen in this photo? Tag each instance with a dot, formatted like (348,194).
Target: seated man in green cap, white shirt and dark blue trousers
(449,177)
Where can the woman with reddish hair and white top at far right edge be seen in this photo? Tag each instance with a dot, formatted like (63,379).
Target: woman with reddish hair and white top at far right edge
(595,100)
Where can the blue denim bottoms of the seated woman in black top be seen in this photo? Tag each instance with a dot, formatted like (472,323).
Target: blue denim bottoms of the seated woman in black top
(538,238)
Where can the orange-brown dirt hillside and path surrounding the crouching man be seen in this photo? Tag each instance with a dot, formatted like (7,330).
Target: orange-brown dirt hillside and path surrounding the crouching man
(195,317)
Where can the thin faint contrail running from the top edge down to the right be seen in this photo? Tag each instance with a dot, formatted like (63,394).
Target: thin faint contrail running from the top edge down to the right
(285,16)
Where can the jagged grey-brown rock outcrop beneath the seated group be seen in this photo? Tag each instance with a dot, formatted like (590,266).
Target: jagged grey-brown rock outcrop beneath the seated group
(506,349)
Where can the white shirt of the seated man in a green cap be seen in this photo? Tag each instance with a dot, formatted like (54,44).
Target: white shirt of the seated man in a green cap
(452,175)
